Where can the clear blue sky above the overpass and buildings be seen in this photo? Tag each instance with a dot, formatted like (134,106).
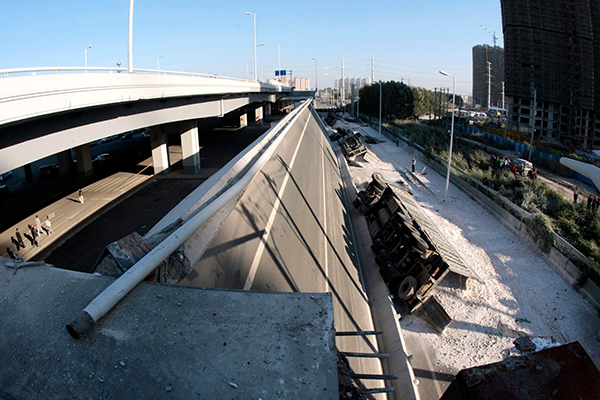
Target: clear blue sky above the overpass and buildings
(410,40)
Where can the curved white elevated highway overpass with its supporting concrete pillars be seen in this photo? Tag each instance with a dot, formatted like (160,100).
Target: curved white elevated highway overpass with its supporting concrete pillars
(53,110)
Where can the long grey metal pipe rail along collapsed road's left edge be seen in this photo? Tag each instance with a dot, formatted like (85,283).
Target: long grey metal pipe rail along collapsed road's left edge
(106,300)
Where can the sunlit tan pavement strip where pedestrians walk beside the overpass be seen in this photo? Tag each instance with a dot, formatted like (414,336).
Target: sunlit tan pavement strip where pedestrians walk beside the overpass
(67,213)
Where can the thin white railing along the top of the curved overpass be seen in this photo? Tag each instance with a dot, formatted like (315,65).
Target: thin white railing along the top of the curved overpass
(14,72)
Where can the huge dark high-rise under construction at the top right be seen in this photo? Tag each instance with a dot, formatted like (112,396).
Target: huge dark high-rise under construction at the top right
(552,55)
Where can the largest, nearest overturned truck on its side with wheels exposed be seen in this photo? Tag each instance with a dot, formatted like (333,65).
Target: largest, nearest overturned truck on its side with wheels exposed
(412,254)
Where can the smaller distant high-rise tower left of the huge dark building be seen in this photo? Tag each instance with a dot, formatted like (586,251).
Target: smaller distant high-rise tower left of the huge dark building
(488,75)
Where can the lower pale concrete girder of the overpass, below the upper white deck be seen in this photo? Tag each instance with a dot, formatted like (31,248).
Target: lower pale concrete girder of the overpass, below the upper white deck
(174,110)
